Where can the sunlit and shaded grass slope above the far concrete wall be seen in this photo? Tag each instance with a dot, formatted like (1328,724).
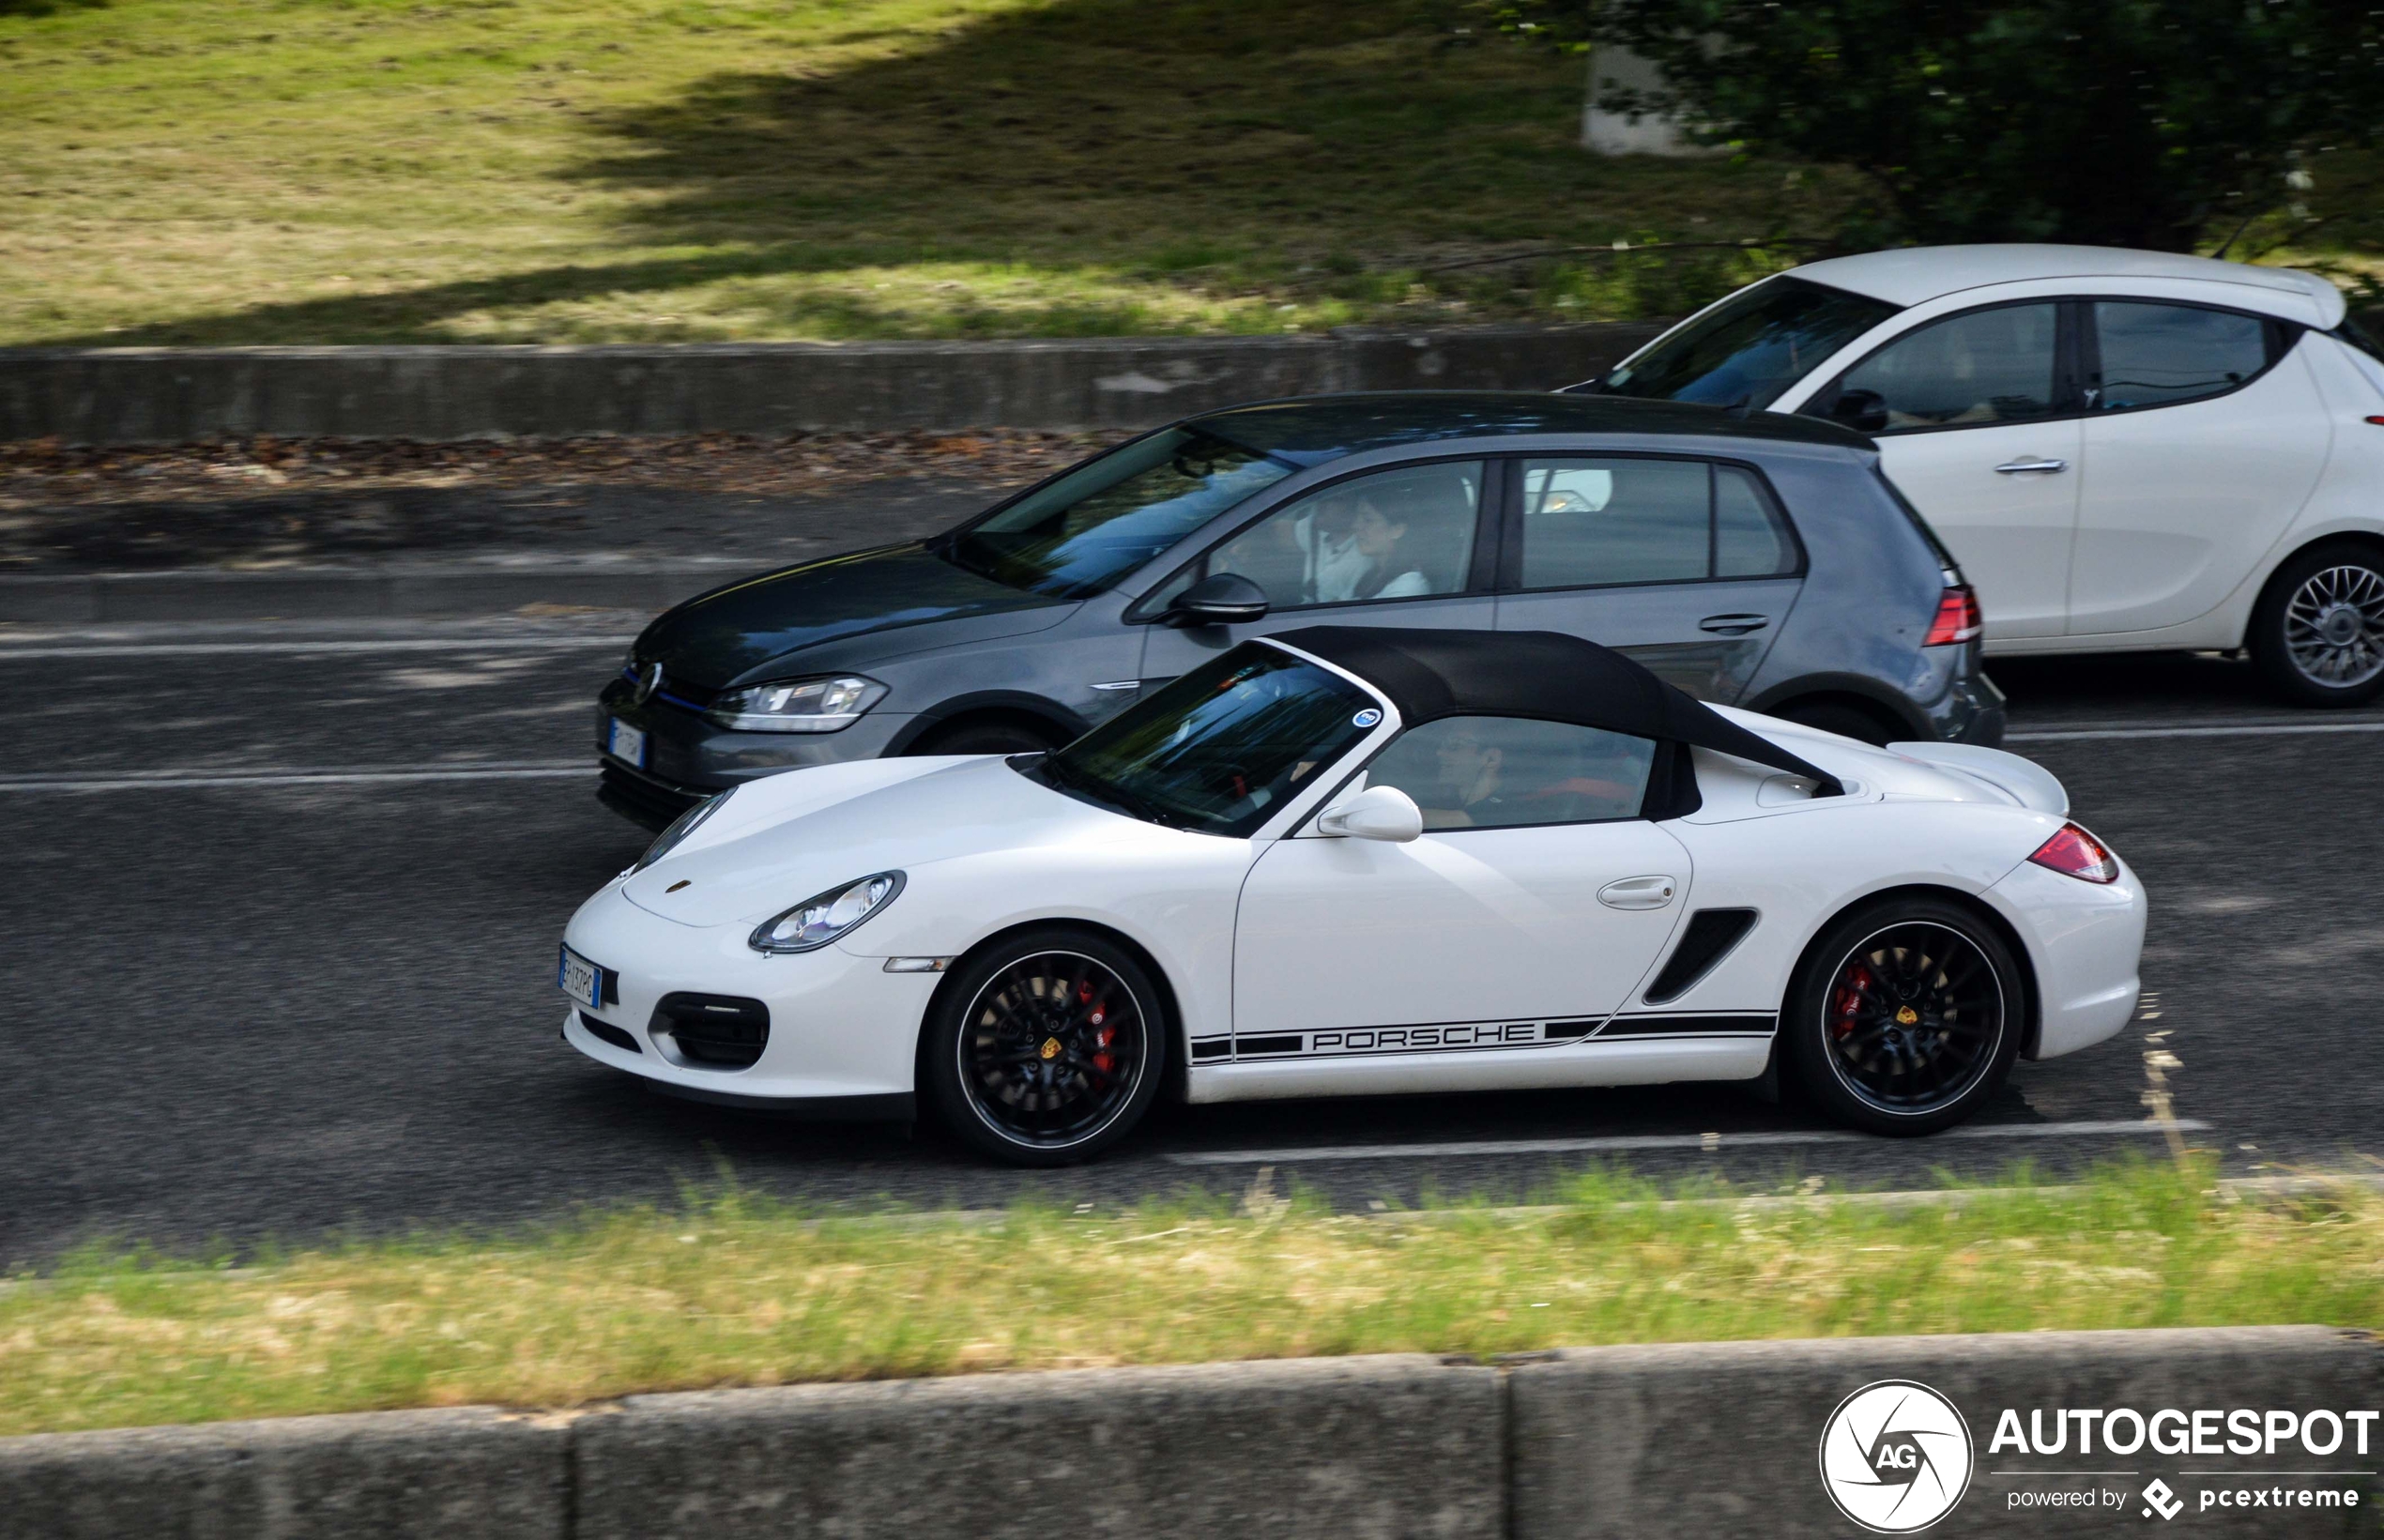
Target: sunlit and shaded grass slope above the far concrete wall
(662,170)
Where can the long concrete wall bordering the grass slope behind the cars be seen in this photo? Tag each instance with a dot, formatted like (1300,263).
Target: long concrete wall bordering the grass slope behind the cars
(185,395)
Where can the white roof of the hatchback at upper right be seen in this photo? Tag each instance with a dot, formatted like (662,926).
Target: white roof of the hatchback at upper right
(1925,273)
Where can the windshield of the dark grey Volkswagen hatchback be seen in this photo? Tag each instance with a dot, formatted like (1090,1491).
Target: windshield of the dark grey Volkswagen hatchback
(1110,516)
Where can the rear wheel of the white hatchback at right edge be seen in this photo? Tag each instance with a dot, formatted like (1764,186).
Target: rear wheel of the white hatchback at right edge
(2318,631)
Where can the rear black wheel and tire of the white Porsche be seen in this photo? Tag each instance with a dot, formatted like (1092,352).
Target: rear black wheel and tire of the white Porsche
(1906,1017)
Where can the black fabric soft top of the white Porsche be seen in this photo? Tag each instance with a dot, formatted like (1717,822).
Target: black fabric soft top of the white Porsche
(1544,676)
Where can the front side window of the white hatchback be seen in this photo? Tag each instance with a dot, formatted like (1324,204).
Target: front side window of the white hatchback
(1966,371)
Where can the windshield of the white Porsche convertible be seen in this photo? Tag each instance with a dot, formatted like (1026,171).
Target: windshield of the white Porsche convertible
(1219,747)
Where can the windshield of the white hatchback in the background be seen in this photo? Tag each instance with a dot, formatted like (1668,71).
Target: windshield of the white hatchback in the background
(1751,347)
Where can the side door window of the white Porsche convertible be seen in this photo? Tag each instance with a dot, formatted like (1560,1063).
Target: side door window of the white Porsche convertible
(1486,774)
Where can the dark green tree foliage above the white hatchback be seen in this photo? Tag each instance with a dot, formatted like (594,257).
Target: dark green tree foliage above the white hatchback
(2116,123)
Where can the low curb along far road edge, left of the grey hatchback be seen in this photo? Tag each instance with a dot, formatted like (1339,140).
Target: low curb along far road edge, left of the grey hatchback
(409,592)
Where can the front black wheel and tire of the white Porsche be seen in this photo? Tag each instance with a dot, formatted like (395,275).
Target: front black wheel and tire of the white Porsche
(1045,1048)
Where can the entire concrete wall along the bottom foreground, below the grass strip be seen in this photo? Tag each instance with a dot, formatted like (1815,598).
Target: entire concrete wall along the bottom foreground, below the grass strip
(1694,1441)
